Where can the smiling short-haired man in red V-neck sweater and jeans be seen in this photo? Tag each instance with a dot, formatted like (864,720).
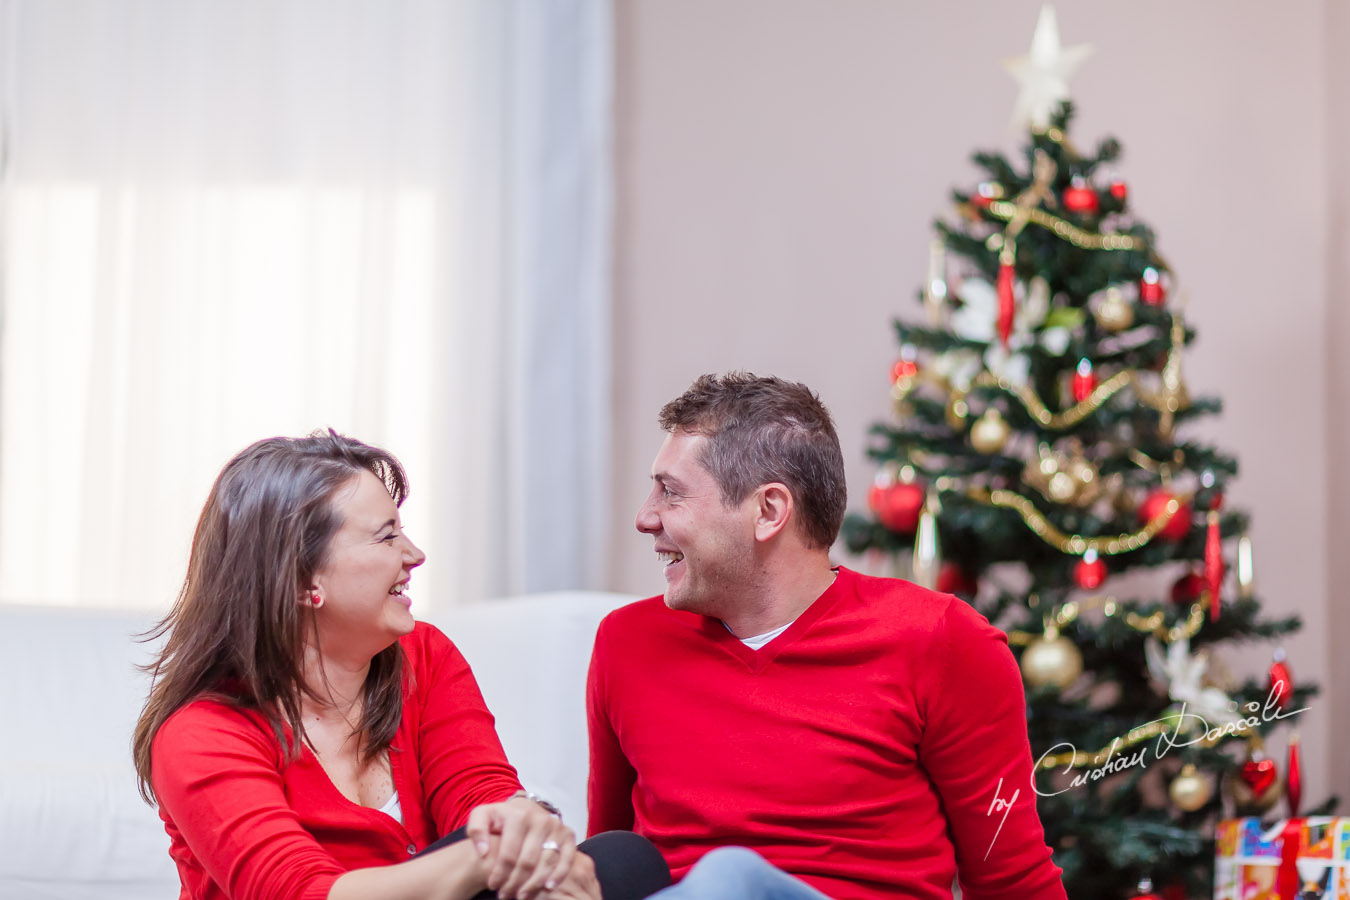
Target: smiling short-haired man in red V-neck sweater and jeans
(865,736)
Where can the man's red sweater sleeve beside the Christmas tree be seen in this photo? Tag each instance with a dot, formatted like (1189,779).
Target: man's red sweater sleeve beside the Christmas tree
(975,750)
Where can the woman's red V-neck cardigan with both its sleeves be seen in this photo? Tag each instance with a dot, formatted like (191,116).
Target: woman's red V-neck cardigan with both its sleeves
(245,825)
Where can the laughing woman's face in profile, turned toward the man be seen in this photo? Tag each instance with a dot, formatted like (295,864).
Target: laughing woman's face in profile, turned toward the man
(365,582)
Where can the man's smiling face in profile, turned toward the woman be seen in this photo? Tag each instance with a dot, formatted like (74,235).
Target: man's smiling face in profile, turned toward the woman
(705,546)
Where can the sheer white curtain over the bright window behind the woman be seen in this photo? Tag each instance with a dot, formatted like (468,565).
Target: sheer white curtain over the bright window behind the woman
(230,219)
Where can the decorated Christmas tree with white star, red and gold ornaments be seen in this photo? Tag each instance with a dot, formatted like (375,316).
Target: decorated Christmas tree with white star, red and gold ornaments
(1043,454)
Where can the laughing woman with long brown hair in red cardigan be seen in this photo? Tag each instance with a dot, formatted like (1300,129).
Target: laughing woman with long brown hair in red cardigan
(306,737)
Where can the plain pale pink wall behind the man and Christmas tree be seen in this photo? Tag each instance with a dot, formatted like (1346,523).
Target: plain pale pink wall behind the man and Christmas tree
(780,164)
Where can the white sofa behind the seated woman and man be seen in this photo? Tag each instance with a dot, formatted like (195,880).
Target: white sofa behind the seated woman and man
(72,825)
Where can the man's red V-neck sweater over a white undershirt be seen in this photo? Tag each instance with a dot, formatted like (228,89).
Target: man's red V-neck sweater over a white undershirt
(859,751)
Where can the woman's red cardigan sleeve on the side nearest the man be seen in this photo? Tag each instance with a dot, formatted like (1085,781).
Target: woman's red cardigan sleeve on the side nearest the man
(461,759)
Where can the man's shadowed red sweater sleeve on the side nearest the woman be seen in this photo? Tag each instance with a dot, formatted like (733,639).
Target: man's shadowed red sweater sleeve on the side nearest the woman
(610,791)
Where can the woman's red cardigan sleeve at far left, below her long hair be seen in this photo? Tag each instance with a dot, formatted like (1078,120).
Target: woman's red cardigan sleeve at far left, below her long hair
(218,779)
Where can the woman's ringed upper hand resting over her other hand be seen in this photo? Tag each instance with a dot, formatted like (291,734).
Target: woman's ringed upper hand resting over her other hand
(537,852)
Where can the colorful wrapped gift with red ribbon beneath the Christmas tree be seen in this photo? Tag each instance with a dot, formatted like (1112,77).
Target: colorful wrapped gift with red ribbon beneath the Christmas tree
(1291,860)
